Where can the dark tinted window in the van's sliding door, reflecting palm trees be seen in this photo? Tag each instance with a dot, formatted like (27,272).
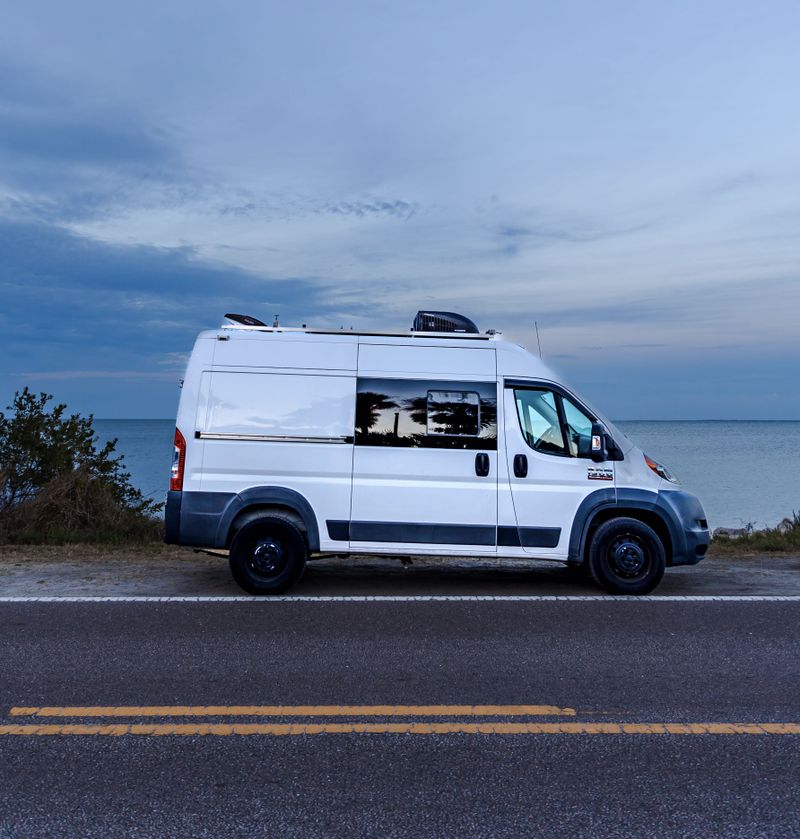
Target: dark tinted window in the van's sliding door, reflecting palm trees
(420,413)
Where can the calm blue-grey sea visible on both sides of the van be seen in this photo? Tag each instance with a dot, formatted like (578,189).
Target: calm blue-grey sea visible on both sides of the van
(742,471)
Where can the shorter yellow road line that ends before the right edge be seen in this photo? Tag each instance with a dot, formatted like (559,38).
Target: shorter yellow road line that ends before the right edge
(294,711)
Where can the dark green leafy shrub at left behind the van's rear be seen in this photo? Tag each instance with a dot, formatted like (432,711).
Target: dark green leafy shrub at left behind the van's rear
(57,485)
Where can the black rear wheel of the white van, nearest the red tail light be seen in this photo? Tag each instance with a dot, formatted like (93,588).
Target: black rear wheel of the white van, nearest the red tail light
(268,555)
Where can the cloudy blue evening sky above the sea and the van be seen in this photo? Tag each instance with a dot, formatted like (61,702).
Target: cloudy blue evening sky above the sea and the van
(624,174)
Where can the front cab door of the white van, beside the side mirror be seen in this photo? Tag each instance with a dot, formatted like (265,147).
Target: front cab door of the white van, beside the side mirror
(548,439)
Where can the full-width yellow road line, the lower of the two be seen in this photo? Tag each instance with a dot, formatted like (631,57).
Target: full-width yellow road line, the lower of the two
(283,729)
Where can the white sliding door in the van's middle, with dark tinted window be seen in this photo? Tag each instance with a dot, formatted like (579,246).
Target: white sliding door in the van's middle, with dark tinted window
(425,453)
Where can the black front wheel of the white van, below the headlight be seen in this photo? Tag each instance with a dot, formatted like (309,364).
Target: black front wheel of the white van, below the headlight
(626,557)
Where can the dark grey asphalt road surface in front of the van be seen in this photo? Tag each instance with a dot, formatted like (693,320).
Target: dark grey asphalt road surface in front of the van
(600,661)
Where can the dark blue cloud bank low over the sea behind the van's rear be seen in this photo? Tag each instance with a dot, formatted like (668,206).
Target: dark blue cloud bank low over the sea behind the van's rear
(69,303)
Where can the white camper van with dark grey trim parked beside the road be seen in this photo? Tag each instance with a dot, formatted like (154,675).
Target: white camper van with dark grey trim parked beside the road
(294,443)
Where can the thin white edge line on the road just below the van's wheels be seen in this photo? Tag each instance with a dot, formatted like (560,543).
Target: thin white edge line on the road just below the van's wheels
(413,598)
